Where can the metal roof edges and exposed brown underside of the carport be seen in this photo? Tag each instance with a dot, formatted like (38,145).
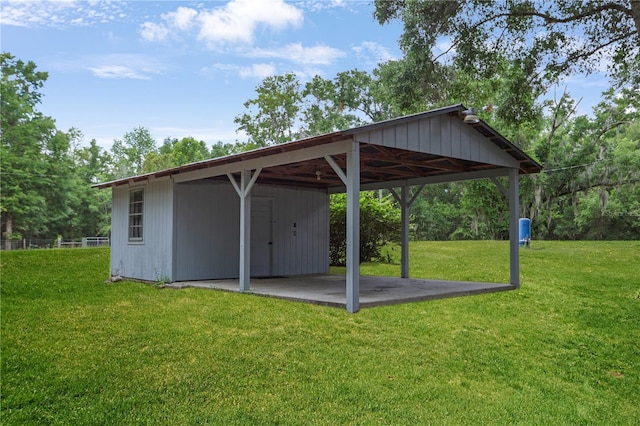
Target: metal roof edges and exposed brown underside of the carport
(378,163)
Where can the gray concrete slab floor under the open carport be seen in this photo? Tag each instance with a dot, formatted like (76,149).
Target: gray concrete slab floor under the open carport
(330,290)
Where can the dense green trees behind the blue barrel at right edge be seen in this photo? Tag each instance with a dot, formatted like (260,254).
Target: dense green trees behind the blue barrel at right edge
(590,173)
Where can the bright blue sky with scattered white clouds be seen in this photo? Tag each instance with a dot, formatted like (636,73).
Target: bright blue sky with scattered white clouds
(184,68)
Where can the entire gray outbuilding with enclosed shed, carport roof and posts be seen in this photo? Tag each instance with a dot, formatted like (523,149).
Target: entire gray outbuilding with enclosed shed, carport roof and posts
(265,212)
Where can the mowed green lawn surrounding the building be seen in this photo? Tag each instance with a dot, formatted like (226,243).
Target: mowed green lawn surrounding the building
(564,349)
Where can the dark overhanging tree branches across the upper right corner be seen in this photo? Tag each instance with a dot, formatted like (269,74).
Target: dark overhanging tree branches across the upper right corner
(547,40)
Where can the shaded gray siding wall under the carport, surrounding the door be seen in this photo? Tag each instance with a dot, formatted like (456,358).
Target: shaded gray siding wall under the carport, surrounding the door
(207,230)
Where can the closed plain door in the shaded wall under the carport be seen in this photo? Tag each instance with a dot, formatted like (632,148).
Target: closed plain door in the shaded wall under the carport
(261,236)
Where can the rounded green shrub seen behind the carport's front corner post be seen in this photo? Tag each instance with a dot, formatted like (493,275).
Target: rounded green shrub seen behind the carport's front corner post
(379,224)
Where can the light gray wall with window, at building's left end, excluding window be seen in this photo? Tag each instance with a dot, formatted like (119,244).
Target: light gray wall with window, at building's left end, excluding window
(151,259)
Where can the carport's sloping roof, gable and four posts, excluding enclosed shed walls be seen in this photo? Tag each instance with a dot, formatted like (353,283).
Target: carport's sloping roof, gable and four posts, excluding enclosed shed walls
(443,145)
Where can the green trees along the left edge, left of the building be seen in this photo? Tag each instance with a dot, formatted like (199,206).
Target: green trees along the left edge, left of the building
(46,177)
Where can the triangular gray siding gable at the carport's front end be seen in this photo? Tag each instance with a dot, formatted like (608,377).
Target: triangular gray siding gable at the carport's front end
(440,135)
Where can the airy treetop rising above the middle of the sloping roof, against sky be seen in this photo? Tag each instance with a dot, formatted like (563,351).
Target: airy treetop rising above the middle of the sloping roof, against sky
(272,116)
